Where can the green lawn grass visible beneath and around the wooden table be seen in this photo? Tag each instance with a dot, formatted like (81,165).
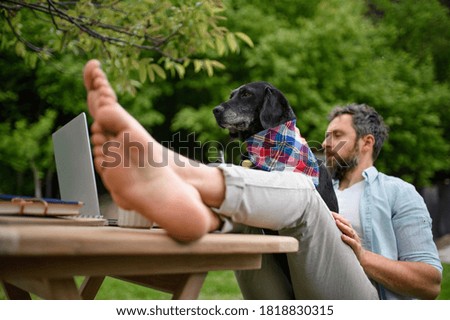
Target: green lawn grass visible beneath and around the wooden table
(219,285)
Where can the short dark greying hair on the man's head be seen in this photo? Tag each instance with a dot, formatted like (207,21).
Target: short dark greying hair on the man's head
(365,121)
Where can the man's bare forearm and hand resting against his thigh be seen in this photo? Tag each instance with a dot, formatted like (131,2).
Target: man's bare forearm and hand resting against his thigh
(414,279)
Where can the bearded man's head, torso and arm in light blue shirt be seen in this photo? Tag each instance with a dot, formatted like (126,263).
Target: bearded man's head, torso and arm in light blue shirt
(382,218)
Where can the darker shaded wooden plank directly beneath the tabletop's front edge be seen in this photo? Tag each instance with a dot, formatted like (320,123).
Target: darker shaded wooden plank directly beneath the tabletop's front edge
(14,267)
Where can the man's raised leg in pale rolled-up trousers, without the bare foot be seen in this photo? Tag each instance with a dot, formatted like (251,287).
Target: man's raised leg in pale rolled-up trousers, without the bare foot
(324,267)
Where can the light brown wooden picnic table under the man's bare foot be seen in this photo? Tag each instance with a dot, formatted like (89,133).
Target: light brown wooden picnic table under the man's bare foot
(44,259)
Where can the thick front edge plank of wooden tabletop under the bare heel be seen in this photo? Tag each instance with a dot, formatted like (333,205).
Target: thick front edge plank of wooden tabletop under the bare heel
(23,240)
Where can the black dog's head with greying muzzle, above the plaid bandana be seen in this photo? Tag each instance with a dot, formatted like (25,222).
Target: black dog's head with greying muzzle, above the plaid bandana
(252,108)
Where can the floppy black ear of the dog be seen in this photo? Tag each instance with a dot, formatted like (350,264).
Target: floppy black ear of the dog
(275,109)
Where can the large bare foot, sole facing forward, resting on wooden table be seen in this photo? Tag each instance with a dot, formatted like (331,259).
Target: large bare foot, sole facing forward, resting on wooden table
(123,156)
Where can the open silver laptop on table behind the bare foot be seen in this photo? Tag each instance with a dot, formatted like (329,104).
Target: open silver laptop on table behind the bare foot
(75,169)
